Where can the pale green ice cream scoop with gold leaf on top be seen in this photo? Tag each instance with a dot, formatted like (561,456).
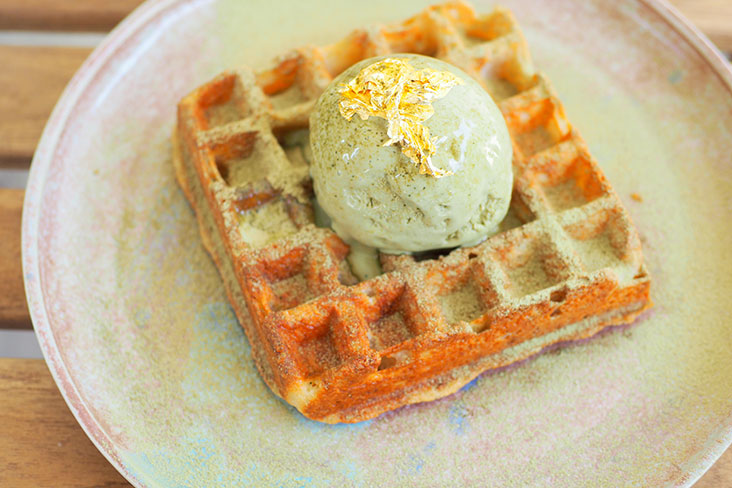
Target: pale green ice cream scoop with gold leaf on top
(428,168)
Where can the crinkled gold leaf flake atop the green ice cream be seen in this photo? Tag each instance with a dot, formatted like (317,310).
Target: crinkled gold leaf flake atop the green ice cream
(394,90)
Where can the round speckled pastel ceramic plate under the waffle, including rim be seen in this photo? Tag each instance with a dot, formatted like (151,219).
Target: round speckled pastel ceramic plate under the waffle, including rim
(136,329)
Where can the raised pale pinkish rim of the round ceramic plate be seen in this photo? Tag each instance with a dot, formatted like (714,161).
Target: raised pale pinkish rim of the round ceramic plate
(116,39)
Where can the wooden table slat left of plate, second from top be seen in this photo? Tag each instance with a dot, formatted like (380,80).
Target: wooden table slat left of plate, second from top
(31,81)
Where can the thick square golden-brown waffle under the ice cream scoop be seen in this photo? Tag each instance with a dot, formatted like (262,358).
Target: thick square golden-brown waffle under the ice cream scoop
(566,263)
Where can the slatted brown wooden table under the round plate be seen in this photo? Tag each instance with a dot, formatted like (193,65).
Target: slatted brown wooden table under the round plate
(41,443)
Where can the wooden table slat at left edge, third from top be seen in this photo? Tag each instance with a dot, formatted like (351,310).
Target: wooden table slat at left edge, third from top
(13,308)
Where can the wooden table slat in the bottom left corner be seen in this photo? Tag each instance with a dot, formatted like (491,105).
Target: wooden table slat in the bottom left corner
(41,444)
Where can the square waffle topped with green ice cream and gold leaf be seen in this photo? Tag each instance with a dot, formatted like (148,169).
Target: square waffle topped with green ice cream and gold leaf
(399,211)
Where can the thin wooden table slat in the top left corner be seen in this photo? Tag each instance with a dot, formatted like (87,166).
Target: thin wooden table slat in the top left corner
(73,15)
